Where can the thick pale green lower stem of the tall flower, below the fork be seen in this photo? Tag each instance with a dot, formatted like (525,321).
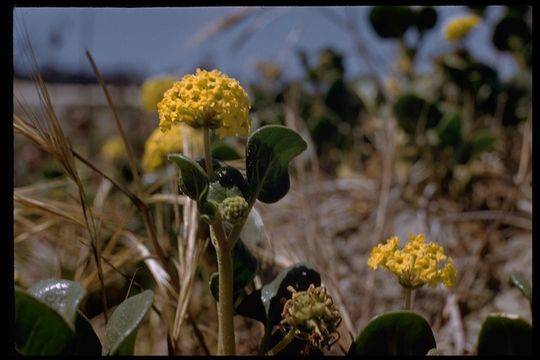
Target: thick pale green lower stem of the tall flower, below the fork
(226,341)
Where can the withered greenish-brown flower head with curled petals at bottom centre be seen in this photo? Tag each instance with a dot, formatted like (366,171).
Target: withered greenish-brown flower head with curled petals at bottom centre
(313,316)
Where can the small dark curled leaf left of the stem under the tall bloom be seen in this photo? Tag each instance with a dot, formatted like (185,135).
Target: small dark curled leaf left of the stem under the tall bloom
(193,178)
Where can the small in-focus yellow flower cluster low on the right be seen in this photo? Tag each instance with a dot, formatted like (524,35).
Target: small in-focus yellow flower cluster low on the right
(416,264)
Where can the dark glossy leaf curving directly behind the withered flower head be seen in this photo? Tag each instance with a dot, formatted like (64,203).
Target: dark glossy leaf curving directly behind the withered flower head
(299,276)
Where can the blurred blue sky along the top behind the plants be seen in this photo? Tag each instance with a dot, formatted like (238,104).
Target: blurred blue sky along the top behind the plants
(161,40)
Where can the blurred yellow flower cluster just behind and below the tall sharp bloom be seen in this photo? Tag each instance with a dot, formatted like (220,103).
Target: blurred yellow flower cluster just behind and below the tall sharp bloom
(159,145)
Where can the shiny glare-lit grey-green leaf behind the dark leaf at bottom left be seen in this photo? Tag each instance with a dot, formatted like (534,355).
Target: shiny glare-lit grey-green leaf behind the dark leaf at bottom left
(64,296)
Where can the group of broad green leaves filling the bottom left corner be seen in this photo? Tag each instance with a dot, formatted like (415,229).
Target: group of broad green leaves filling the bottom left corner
(48,321)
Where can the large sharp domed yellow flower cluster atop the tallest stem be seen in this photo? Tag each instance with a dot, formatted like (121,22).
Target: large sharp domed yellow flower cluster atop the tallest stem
(210,99)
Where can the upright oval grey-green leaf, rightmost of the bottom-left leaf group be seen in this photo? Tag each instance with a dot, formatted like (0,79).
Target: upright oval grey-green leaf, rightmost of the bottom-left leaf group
(123,325)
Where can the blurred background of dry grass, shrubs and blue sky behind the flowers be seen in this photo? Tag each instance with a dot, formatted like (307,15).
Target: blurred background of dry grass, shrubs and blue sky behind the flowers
(418,119)
